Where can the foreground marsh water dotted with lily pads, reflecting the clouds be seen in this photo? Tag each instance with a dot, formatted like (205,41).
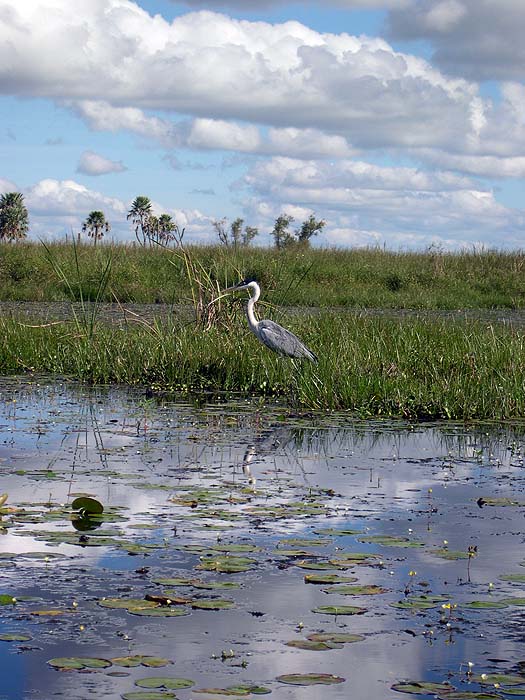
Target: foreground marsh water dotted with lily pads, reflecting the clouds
(247,550)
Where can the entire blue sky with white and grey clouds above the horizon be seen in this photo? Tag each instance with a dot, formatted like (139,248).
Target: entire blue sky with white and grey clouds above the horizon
(400,123)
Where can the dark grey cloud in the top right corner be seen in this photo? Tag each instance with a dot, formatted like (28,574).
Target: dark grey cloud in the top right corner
(477,39)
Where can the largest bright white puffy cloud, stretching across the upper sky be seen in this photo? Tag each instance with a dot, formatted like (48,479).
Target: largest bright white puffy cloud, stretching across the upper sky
(210,66)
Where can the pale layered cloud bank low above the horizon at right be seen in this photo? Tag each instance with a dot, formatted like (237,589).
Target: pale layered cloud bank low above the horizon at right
(403,206)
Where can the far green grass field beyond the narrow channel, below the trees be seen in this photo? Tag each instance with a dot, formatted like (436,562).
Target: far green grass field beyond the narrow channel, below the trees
(300,277)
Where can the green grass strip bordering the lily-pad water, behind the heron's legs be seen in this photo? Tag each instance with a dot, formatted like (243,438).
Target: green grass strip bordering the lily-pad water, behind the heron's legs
(368,366)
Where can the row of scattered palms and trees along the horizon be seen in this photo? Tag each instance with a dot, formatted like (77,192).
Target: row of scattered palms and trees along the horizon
(150,229)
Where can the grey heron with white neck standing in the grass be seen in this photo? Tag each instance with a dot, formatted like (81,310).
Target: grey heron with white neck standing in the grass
(279,339)
